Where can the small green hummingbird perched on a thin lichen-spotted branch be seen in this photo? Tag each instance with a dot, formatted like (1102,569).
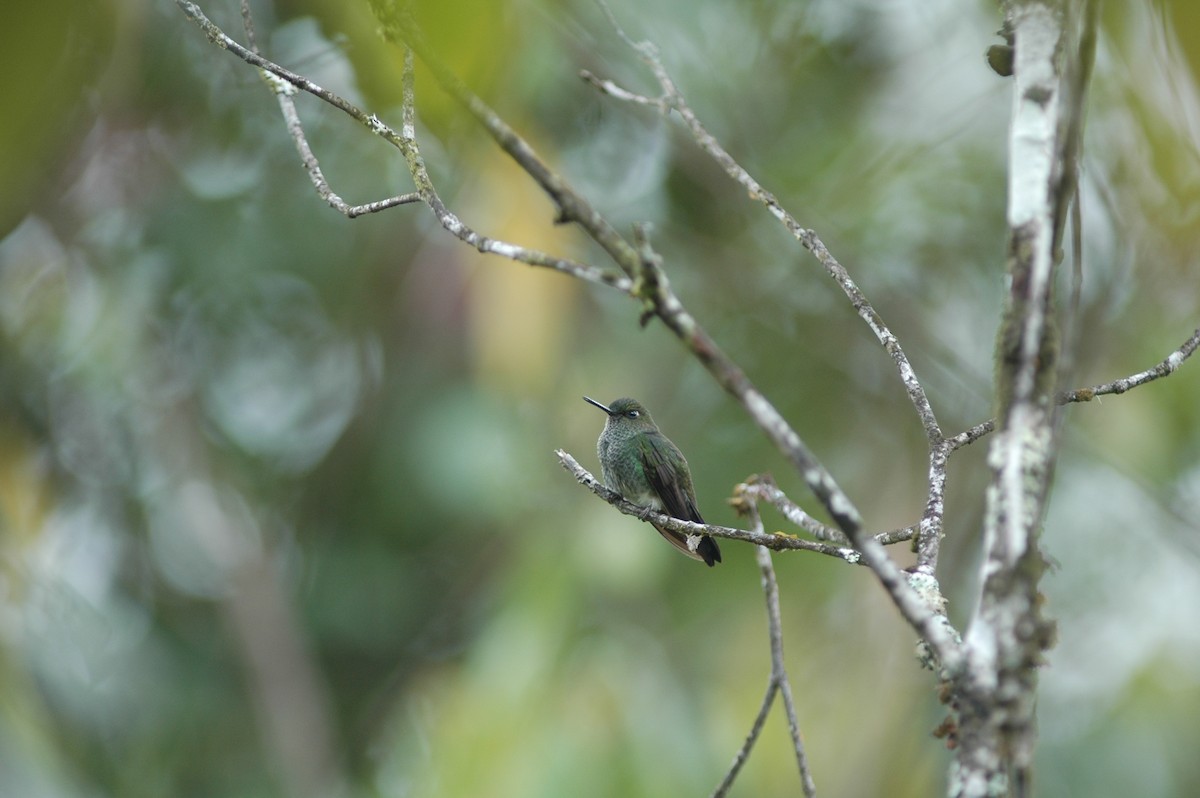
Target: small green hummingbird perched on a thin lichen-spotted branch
(643,465)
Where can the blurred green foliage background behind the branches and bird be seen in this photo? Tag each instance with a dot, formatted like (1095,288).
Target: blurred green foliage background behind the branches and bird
(278,494)
